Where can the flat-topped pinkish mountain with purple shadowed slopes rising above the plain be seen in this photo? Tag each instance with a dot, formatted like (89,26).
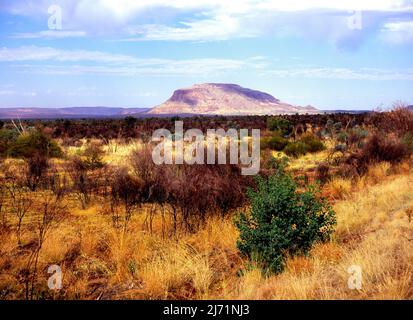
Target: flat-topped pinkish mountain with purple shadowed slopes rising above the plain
(225,99)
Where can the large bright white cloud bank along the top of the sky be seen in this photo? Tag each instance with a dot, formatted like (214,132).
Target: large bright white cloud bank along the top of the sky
(204,20)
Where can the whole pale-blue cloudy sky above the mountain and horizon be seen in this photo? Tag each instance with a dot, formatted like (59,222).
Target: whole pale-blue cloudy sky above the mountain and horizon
(331,54)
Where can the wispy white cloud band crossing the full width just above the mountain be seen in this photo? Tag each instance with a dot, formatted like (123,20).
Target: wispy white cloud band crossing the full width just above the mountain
(52,61)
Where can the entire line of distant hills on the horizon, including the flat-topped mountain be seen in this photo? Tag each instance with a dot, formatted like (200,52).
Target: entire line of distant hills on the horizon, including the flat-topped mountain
(200,99)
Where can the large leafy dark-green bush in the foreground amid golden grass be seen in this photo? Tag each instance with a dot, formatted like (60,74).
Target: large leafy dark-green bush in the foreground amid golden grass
(282,222)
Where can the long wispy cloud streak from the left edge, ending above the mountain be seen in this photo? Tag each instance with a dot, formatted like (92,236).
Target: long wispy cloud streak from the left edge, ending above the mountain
(47,60)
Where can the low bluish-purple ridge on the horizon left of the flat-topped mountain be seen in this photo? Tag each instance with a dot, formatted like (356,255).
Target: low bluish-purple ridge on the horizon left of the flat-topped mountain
(69,113)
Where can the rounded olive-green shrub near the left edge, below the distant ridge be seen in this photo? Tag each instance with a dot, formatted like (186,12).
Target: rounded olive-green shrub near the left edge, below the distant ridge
(34,142)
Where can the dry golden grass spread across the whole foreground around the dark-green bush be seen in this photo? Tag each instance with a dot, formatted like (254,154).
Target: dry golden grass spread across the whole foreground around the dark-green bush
(374,231)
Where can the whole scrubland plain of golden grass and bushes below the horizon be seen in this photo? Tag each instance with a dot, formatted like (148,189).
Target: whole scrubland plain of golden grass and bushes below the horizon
(334,192)
